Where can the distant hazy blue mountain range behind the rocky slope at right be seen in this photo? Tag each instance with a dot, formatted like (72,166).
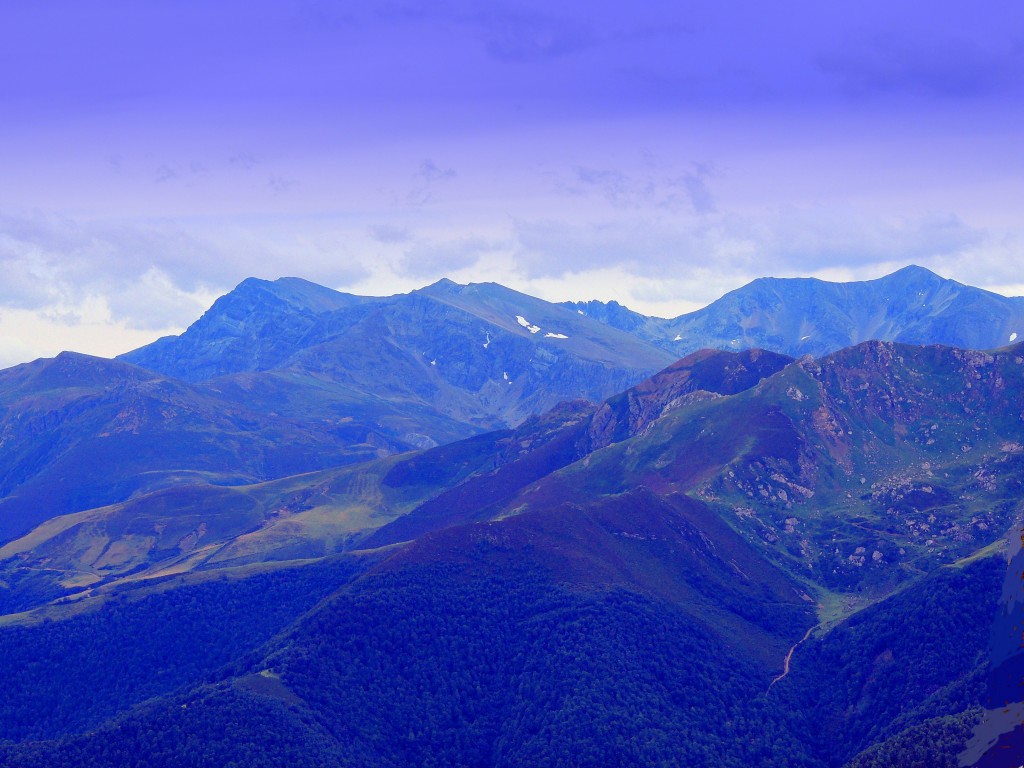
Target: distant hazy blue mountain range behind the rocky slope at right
(804,316)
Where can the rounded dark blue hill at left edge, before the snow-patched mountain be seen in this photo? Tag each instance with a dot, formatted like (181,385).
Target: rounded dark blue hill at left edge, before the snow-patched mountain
(80,433)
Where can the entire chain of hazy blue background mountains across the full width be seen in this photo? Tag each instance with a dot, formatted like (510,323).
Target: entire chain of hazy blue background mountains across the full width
(288,377)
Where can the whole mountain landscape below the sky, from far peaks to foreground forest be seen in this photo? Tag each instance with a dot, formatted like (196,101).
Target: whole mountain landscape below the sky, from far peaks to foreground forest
(464,527)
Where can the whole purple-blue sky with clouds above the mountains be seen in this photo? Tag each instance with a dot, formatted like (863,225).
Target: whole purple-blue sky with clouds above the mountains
(154,155)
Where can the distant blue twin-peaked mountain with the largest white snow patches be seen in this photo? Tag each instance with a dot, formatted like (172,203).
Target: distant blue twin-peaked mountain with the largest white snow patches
(482,356)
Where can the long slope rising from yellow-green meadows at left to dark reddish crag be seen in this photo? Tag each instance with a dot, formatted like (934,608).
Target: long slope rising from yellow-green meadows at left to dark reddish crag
(199,523)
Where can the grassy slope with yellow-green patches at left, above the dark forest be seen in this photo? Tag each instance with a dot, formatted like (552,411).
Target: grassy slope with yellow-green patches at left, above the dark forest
(189,528)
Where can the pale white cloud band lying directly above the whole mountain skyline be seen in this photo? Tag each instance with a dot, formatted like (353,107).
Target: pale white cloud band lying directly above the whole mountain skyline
(105,287)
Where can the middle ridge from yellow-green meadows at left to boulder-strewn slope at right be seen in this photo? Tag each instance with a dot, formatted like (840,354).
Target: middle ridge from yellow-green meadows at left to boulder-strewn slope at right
(858,473)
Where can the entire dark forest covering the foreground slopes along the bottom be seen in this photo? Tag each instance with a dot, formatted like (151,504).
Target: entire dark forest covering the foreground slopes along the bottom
(464,666)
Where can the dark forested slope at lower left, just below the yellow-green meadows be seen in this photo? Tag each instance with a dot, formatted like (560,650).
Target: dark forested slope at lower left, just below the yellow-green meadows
(66,676)
